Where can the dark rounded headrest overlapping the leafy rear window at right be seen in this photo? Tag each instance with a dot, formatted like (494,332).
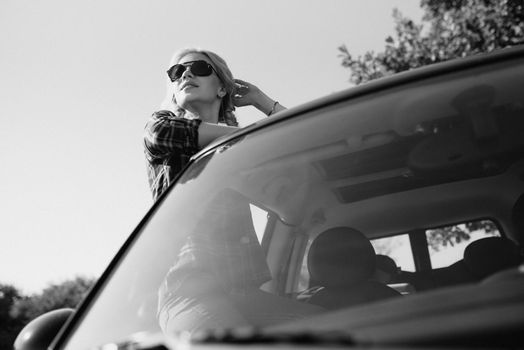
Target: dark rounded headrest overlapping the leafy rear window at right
(489,255)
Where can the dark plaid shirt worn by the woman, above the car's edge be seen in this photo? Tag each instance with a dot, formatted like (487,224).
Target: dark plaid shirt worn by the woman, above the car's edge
(169,143)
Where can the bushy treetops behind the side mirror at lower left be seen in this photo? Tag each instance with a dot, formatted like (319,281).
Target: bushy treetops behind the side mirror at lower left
(66,294)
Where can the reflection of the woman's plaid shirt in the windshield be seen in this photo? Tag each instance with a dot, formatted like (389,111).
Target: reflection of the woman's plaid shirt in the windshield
(224,244)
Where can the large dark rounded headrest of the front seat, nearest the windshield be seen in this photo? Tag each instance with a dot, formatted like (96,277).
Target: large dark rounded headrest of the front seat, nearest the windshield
(341,256)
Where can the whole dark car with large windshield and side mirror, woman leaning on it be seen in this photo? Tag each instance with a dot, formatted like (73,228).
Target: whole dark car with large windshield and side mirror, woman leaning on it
(390,214)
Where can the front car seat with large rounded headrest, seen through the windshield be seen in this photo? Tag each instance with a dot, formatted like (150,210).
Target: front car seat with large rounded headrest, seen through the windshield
(342,261)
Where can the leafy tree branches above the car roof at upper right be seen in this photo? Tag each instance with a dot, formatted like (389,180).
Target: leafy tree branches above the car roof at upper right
(450,29)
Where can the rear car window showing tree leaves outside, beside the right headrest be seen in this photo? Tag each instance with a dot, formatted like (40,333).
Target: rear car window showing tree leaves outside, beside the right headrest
(446,244)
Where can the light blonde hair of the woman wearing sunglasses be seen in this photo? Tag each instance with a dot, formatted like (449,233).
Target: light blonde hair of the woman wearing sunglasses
(226,114)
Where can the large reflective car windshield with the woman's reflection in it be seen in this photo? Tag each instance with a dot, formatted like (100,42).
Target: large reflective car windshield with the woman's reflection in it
(378,197)
